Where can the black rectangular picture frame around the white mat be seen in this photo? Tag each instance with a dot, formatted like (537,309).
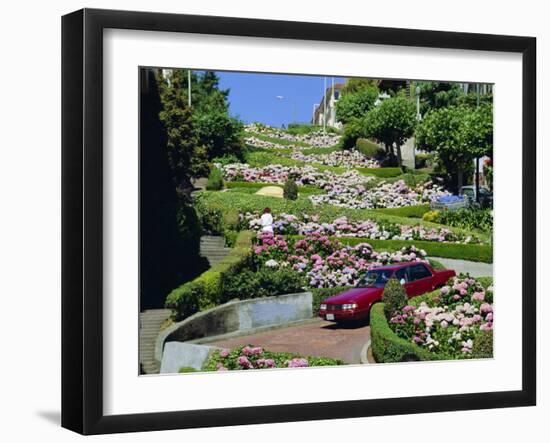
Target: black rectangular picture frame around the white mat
(82,220)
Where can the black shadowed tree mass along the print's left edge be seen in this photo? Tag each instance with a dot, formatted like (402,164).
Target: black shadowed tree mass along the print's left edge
(169,229)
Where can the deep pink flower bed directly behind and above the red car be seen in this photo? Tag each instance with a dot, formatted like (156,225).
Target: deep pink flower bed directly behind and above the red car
(325,262)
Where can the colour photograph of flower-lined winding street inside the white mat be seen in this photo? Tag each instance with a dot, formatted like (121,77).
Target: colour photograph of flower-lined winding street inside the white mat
(291,221)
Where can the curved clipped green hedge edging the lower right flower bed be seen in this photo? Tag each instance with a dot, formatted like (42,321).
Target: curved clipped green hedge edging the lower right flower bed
(388,347)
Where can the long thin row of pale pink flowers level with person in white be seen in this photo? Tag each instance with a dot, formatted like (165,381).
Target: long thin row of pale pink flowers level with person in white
(288,224)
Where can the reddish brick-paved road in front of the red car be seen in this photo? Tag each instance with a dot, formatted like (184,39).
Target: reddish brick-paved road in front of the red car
(319,338)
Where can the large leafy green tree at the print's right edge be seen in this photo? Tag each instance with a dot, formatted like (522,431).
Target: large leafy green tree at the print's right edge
(458,135)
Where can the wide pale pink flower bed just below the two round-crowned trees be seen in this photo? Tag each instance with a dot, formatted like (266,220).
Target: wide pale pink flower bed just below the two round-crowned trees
(384,195)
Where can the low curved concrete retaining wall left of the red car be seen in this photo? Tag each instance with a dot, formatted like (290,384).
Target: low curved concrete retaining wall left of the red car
(238,316)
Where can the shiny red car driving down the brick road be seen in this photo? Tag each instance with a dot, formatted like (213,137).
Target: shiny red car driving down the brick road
(354,304)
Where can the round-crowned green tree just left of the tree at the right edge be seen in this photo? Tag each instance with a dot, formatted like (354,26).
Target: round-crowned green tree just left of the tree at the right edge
(392,123)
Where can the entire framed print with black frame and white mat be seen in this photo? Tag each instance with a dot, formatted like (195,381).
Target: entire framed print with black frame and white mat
(270,221)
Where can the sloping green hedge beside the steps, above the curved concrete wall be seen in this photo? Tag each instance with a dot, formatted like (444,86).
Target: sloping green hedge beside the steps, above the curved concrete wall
(205,291)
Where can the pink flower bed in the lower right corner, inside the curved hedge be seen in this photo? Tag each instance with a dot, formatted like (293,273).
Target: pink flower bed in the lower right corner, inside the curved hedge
(449,323)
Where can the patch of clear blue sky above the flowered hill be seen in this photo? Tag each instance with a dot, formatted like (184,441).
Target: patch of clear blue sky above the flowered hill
(254,97)
